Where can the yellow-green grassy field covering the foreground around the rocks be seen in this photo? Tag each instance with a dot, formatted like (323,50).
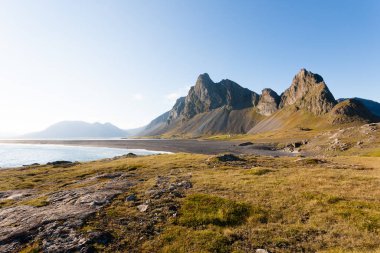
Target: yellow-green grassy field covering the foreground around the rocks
(278,204)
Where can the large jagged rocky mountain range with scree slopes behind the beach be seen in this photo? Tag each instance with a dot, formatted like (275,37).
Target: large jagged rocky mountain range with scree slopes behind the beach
(227,108)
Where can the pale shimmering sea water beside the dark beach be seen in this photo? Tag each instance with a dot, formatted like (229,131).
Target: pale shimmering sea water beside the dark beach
(16,155)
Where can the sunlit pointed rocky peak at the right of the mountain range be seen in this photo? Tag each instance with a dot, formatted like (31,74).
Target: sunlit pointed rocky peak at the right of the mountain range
(308,91)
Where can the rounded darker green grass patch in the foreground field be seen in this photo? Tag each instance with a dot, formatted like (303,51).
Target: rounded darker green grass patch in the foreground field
(202,209)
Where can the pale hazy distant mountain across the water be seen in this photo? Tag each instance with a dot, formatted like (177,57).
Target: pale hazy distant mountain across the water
(79,129)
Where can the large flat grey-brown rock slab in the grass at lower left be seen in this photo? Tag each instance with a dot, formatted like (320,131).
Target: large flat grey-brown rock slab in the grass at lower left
(59,221)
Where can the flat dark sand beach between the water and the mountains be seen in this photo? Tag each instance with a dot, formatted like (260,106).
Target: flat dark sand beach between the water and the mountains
(175,146)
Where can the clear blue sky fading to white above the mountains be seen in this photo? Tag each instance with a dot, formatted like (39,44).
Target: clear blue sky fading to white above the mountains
(126,62)
